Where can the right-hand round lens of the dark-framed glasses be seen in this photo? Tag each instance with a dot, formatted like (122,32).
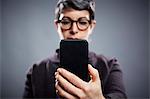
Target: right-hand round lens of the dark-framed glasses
(83,23)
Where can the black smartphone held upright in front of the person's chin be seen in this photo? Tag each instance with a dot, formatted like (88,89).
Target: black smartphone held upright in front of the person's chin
(74,57)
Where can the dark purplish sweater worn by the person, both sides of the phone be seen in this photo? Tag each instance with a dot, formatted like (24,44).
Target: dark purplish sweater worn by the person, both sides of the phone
(40,79)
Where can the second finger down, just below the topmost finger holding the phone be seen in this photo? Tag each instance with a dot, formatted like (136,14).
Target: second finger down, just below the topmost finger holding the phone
(68,86)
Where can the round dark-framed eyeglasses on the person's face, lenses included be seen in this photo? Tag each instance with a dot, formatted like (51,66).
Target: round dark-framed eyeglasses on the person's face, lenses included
(82,23)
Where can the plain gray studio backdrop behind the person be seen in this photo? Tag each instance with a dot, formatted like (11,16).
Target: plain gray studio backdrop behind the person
(28,36)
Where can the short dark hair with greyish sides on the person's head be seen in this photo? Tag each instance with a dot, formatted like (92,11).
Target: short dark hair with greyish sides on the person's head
(88,5)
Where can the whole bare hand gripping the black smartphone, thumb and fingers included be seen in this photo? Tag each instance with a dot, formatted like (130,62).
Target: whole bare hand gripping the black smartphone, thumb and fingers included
(70,86)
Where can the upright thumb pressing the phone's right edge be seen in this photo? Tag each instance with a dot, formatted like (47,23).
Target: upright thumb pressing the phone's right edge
(93,73)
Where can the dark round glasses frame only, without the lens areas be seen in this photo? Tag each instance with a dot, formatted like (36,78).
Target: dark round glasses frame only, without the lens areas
(76,21)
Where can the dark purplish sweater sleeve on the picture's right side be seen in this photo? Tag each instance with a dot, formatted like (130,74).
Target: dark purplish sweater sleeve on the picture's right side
(114,86)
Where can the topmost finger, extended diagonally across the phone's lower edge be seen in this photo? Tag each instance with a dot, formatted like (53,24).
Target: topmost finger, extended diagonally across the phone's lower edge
(75,80)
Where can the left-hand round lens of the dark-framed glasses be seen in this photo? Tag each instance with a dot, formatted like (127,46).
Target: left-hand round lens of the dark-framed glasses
(65,23)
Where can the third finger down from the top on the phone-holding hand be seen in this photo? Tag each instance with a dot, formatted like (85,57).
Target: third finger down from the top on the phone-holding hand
(63,93)
